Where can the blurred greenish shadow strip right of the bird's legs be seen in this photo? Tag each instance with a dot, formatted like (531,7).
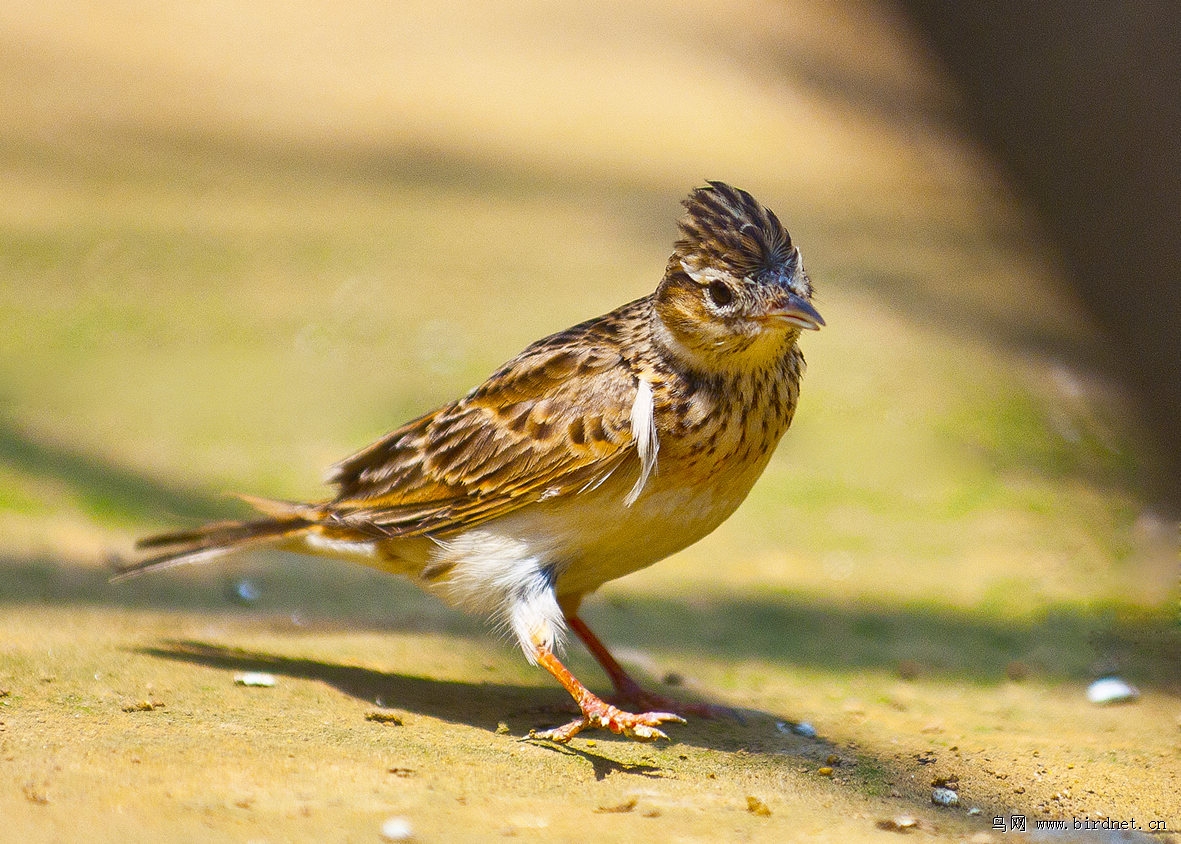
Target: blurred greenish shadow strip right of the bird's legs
(923,640)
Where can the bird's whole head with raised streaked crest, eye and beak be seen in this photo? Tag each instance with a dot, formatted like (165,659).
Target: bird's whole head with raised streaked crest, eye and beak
(735,290)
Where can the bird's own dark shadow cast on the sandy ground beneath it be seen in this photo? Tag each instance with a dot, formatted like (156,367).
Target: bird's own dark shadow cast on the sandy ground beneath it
(488,705)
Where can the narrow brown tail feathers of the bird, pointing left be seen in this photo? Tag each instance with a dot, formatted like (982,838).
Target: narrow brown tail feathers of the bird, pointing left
(212,541)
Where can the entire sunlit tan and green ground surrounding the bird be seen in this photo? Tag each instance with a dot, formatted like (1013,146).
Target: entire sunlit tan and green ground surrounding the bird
(240,244)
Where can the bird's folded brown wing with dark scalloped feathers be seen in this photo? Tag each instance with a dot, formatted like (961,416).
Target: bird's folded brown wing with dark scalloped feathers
(556,421)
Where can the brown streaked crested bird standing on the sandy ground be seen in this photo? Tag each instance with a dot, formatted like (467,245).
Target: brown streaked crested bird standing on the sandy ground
(593,454)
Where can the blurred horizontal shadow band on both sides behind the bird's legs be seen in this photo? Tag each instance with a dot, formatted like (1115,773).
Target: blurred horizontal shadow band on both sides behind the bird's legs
(1067,643)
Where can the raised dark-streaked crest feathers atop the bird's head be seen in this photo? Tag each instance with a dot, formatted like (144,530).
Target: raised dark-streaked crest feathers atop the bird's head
(727,228)
